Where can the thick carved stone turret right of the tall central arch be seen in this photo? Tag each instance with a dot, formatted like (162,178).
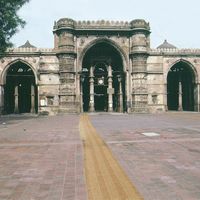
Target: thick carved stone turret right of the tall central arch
(139,53)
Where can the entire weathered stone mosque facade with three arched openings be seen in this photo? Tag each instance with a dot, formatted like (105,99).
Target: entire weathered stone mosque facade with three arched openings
(99,66)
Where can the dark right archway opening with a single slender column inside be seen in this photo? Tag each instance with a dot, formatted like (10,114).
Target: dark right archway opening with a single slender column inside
(181,87)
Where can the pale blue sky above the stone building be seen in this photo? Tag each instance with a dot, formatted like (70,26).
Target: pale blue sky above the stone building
(178,21)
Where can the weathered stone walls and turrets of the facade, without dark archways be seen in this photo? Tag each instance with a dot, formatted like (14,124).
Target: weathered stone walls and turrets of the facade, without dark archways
(58,72)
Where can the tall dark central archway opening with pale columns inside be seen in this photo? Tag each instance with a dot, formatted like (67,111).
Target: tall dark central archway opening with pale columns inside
(103,79)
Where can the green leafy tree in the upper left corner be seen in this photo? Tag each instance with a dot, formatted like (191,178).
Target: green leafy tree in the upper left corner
(9,21)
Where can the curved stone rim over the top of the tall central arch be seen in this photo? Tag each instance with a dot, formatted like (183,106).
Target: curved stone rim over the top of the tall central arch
(107,41)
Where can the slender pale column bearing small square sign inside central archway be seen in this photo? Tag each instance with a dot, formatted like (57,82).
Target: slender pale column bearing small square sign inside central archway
(110,90)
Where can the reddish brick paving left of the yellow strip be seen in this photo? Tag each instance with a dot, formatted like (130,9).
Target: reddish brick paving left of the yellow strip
(41,158)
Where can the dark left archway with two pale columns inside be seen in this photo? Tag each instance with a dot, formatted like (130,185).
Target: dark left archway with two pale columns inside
(20,94)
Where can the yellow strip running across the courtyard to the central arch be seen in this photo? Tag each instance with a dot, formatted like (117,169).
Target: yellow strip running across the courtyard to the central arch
(105,179)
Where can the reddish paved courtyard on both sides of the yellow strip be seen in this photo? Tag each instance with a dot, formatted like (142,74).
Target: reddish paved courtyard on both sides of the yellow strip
(42,158)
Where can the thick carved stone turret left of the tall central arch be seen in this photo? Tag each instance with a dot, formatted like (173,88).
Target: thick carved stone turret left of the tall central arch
(65,43)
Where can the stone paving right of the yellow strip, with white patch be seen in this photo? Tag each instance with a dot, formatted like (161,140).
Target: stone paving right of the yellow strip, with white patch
(162,167)
